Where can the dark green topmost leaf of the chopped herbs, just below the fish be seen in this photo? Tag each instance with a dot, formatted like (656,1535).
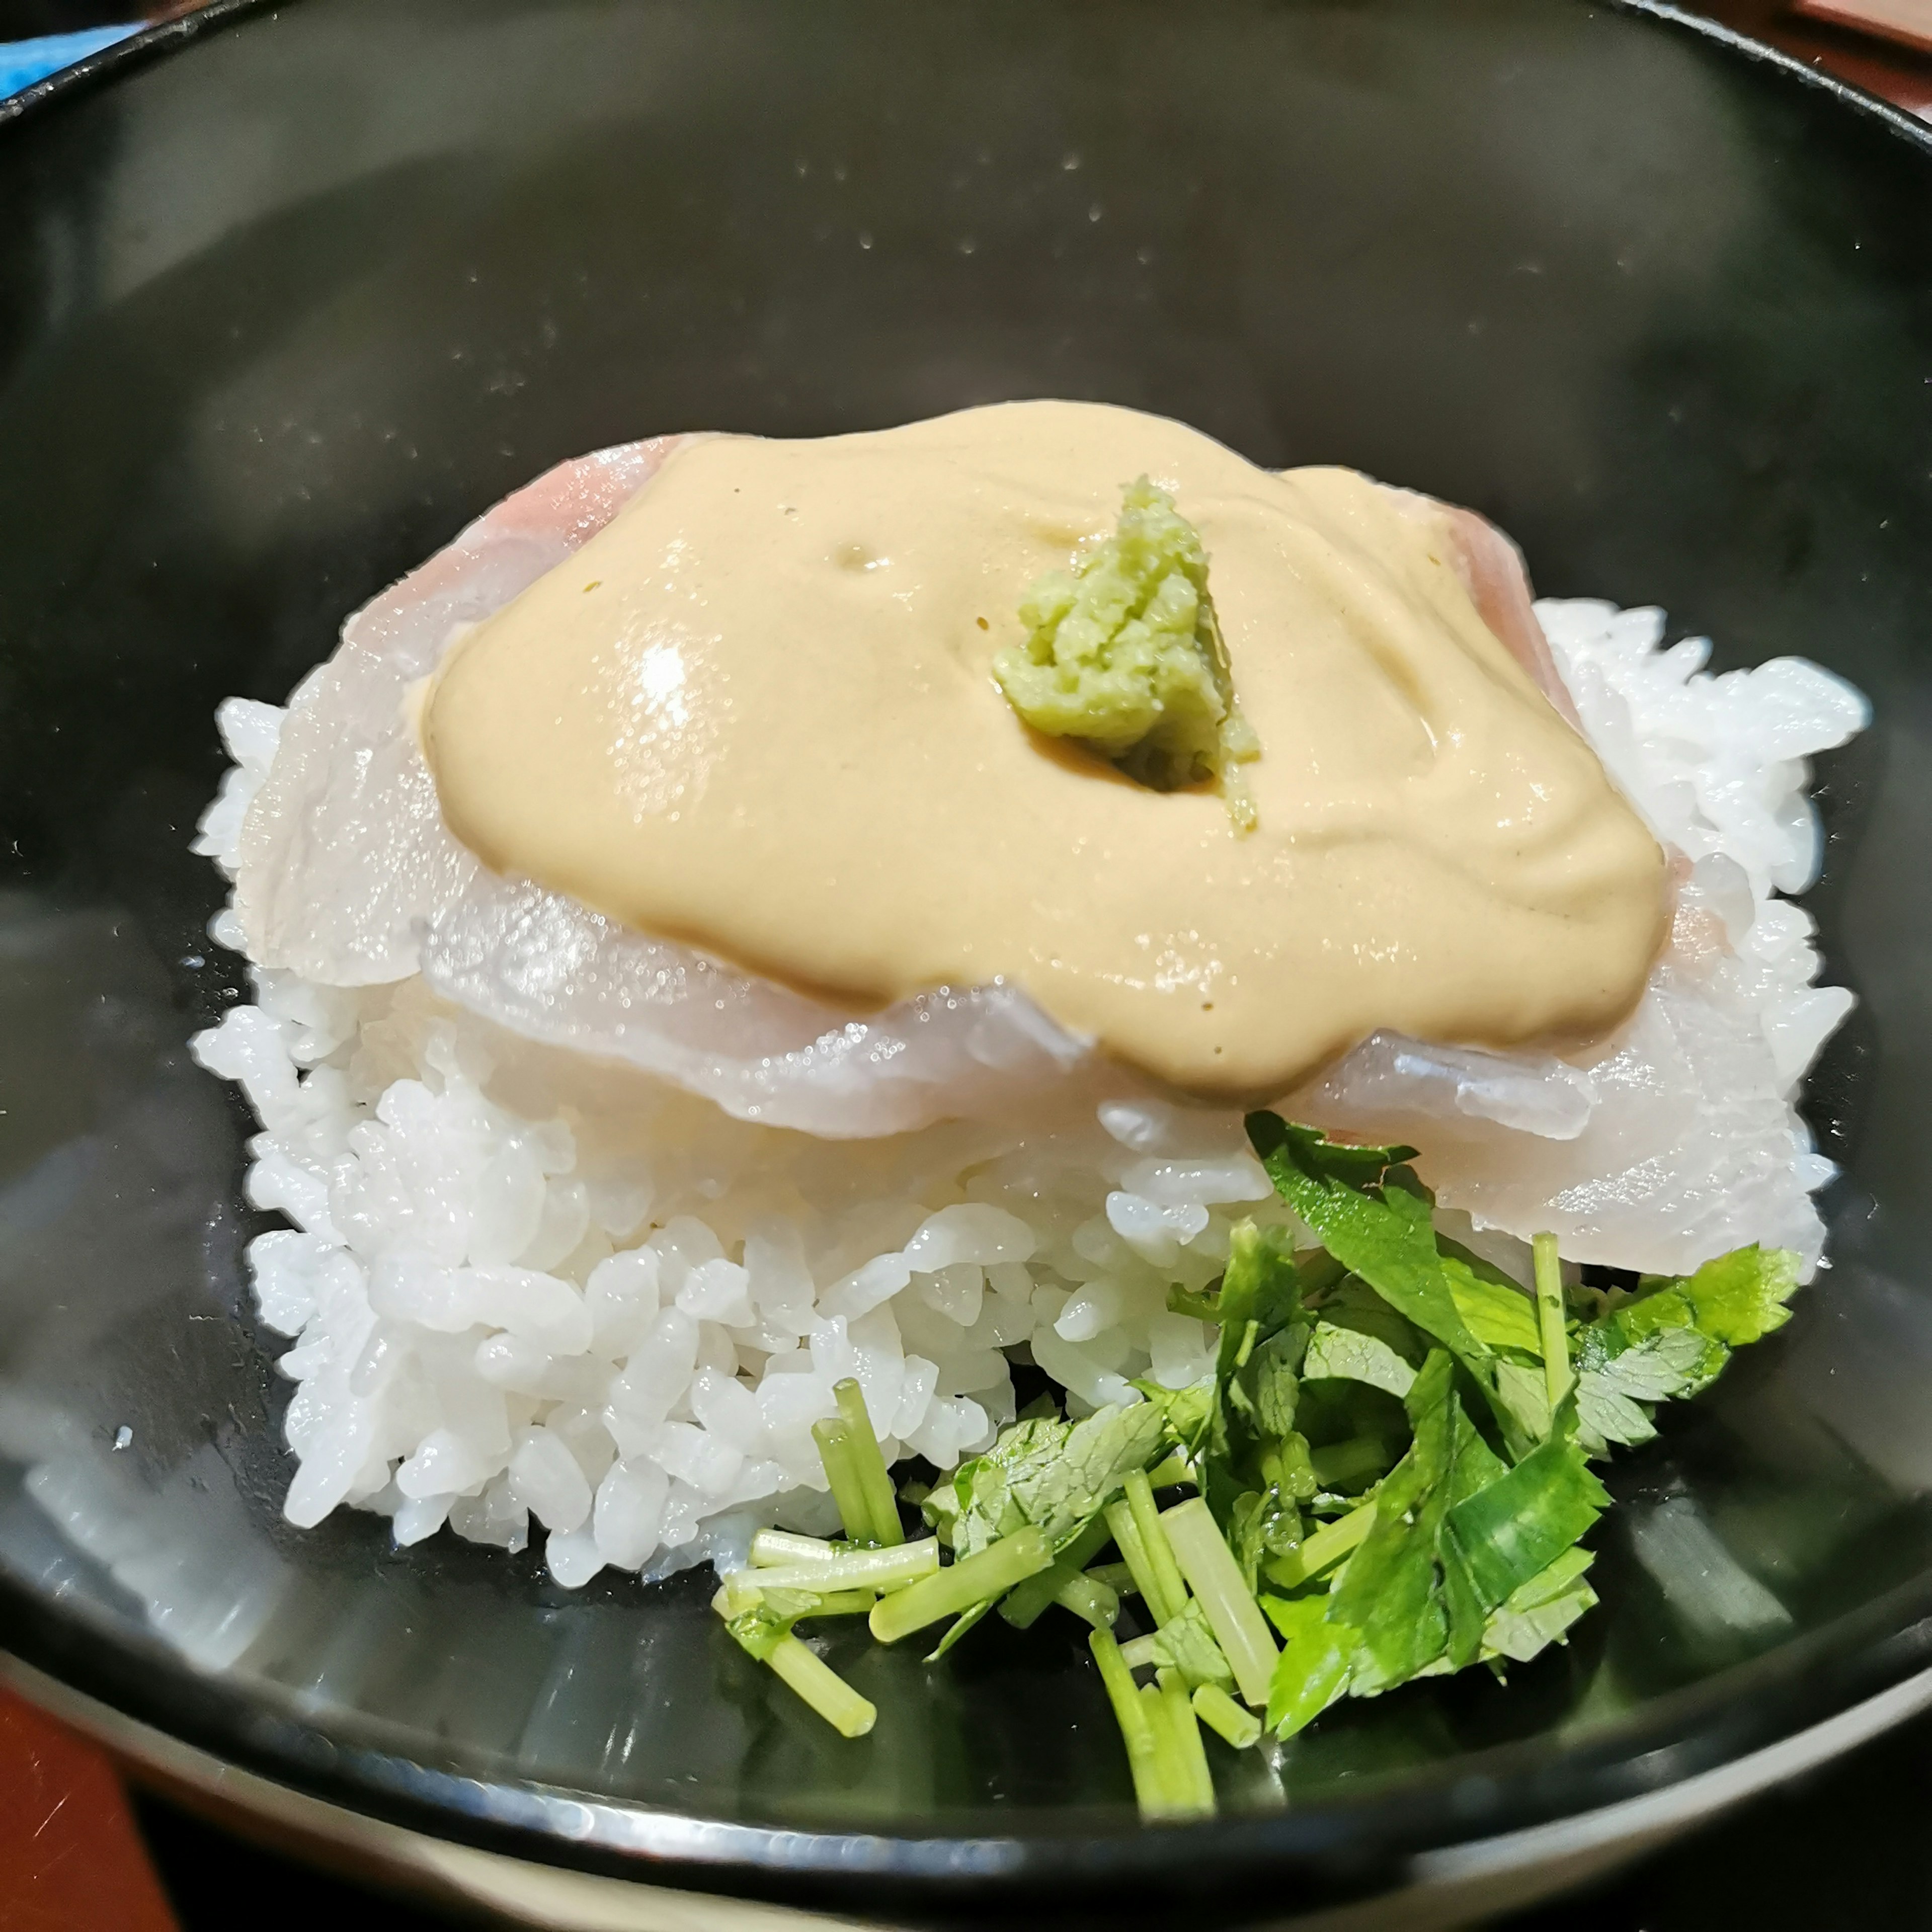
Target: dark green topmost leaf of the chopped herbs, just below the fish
(1386,1237)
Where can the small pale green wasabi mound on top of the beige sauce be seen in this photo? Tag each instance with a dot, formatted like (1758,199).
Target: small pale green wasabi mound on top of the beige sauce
(1125,656)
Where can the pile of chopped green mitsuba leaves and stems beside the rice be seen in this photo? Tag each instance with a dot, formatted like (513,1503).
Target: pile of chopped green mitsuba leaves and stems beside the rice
(1390,1475)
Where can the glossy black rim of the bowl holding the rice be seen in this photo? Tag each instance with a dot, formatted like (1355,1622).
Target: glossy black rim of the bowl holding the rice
(1344,1848)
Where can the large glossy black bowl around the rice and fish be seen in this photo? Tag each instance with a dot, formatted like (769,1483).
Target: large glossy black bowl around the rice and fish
(291,293)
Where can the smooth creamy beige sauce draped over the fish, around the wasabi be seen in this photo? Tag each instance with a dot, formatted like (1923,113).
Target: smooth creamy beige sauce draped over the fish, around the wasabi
(756,716)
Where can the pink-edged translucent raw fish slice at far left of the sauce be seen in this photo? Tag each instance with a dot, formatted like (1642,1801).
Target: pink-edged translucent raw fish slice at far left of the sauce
(343,851)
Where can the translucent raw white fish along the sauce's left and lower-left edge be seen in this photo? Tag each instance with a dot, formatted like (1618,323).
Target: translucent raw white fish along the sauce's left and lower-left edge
(347,876)
